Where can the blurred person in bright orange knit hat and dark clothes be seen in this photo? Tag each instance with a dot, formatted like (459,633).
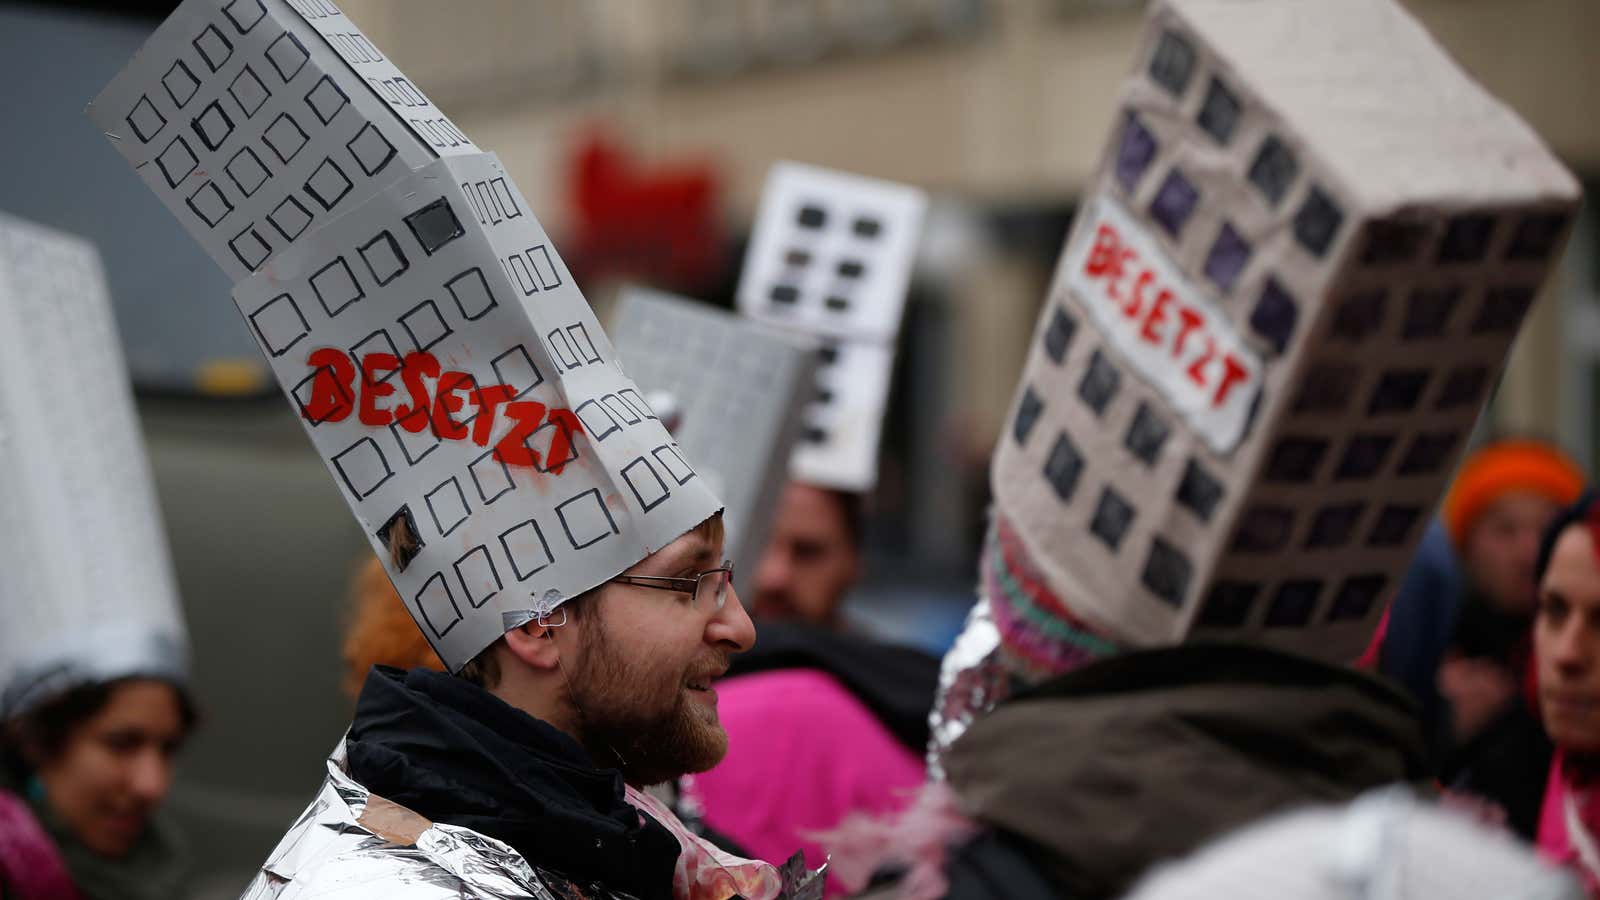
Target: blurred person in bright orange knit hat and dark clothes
(1462,641)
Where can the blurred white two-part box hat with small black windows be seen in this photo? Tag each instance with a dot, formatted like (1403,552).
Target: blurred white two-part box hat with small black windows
(831,257)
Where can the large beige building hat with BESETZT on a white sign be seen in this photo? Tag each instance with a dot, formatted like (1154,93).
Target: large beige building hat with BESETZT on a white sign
(1278,316)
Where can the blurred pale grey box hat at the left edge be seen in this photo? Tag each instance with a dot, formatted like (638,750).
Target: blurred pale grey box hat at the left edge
(87,590)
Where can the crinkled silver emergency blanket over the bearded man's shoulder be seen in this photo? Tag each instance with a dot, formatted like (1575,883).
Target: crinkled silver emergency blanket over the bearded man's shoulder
(358,846)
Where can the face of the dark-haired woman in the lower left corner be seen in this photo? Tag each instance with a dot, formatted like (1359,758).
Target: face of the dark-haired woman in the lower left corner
(118,766)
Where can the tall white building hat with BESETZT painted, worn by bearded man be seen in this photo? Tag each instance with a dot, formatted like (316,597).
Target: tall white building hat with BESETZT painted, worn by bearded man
(417,316)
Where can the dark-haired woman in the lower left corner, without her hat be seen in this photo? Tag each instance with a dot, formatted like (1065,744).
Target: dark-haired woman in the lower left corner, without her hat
(87,771)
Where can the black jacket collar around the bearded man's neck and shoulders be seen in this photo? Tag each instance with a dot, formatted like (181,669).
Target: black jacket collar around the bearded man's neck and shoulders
(458,755)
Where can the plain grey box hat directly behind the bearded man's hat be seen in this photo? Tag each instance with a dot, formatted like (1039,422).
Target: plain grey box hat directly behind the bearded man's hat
(738,390)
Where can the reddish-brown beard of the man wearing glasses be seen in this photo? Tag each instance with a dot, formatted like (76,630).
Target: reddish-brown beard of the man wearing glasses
(647,739)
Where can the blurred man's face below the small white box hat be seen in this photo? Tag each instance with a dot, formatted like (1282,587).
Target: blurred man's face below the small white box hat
(814,556)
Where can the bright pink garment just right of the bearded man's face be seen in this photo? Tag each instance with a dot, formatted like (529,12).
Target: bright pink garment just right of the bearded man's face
(802,755)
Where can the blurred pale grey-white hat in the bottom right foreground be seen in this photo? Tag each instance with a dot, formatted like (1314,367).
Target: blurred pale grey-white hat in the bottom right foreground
(1386,845)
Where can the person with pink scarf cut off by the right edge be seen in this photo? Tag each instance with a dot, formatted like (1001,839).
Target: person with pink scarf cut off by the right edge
(1567,646)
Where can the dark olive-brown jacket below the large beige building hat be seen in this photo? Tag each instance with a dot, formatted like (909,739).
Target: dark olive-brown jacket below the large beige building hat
(1142,758)
